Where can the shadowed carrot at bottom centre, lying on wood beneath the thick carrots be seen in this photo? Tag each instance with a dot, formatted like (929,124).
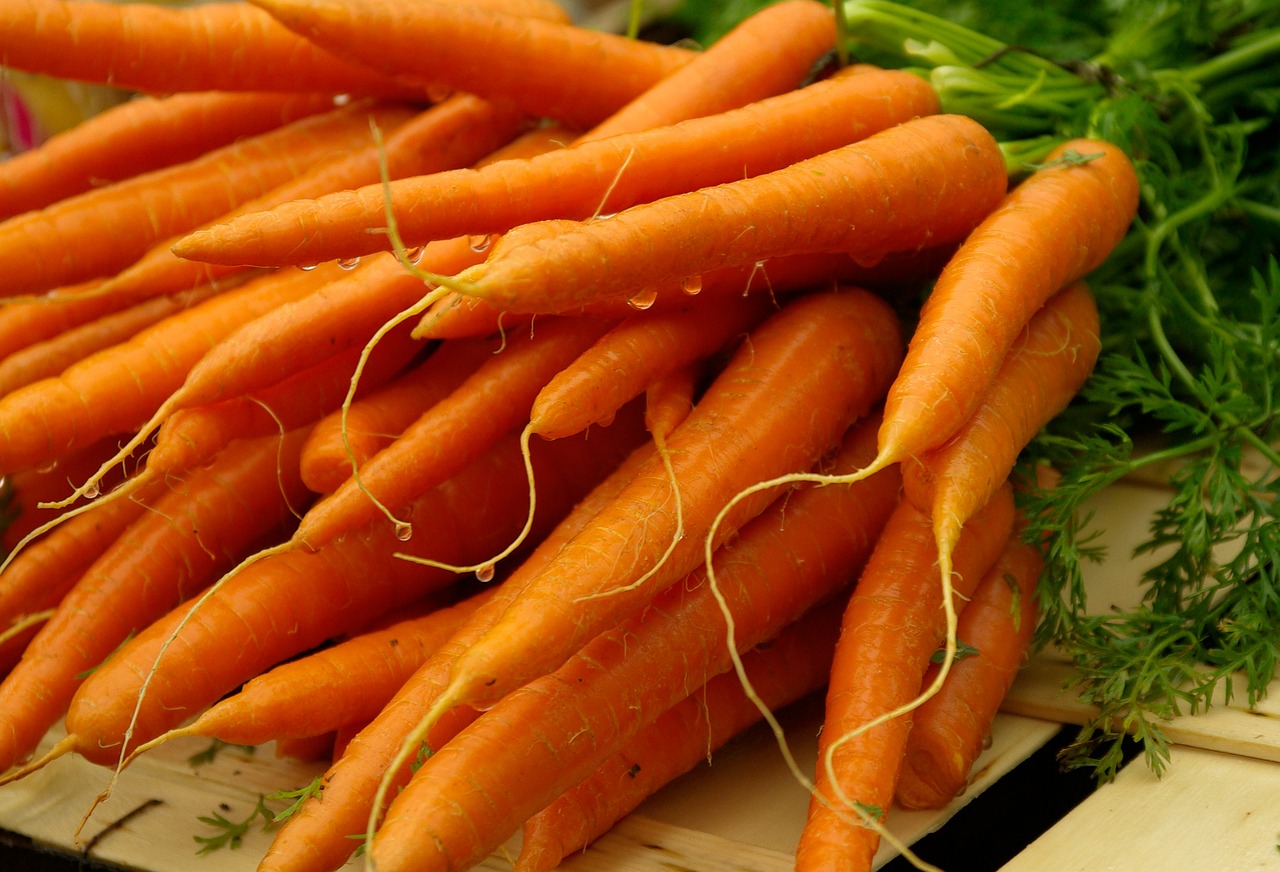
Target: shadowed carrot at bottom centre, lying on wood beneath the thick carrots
(783,670)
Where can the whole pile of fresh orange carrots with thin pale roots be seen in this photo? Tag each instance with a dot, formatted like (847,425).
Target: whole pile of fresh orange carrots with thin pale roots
(518,412)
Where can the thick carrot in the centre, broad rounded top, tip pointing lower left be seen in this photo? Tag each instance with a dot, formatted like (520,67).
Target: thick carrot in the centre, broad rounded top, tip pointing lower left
(820,364)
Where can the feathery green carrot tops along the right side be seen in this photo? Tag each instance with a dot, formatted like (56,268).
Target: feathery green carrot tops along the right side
(1191,319)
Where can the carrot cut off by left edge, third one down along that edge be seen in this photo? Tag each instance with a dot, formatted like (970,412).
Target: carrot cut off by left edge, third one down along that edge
(99,232)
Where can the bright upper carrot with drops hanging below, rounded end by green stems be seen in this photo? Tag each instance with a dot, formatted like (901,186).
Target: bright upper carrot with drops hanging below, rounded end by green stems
(868,199)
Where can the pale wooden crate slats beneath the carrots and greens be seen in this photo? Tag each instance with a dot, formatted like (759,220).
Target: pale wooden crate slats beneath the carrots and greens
(744,811)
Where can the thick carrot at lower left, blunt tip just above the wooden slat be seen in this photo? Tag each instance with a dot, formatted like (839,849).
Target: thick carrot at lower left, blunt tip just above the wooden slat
(295,600)
